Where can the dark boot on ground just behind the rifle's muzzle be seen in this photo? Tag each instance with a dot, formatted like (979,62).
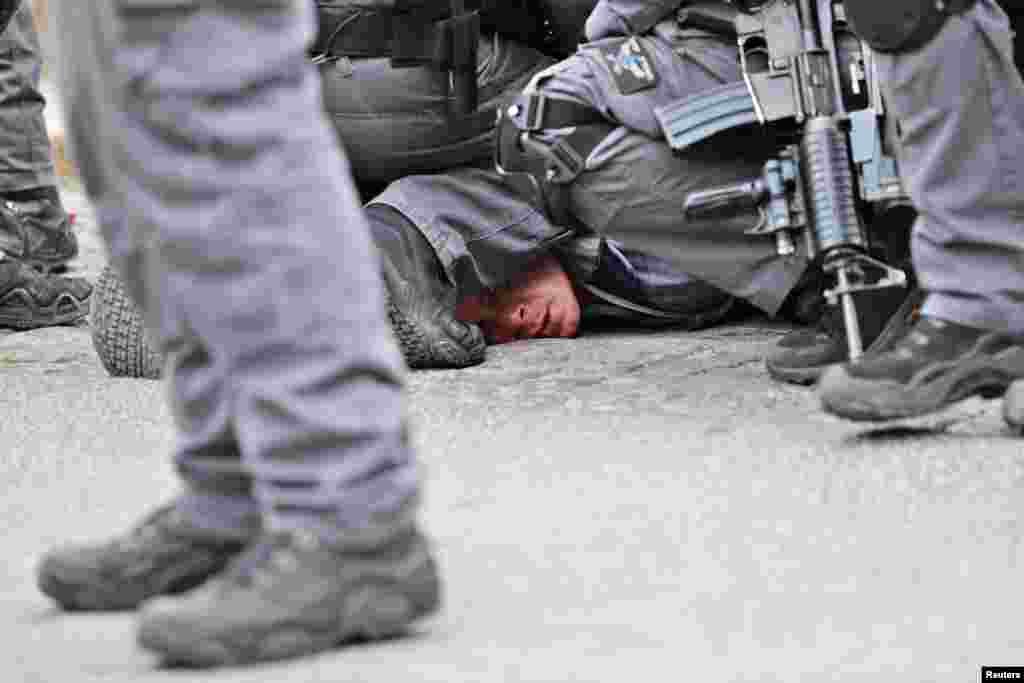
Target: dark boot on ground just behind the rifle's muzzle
(804,355)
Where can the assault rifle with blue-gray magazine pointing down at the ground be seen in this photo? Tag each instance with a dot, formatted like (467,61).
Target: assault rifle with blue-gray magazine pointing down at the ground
(813,82)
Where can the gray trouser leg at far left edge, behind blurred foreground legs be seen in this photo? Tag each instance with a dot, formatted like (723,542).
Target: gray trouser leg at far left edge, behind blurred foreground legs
(25,147)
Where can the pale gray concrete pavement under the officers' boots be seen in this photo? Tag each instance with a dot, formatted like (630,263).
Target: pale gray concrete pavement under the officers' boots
(645,507)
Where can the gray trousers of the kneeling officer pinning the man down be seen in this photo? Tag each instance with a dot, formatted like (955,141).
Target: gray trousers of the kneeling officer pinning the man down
(632,190)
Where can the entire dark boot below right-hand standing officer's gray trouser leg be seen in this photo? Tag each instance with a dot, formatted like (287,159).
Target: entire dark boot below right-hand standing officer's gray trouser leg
(934,364)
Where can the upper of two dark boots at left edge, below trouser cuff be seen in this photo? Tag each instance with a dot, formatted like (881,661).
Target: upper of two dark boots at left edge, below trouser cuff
(35,229)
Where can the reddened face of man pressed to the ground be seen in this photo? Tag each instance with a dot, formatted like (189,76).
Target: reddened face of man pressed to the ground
(541,303)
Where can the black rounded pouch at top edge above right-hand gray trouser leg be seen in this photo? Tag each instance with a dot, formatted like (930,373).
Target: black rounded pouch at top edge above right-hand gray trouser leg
(903,26)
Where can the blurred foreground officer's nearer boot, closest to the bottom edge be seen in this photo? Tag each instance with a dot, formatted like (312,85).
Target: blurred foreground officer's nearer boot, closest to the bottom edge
(291,594)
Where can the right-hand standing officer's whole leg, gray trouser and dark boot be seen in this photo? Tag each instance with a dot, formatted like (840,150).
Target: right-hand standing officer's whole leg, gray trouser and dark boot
(961,106)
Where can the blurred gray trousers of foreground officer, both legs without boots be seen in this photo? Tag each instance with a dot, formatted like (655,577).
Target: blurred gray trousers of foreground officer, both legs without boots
(233,219)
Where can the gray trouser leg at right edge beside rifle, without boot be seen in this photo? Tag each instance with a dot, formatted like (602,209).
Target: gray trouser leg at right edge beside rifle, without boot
(961,105)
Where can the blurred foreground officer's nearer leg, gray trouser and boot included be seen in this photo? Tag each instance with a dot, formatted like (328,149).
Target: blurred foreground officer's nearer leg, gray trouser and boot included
(248,224)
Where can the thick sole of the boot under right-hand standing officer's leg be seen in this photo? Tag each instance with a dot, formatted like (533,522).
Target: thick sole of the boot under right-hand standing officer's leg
(875,401)
